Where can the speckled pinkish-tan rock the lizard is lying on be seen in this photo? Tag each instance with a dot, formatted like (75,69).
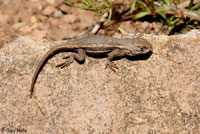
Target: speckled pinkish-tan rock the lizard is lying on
(160,94)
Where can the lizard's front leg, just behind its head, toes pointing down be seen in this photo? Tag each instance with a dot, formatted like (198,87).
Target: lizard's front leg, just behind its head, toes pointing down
(112,55)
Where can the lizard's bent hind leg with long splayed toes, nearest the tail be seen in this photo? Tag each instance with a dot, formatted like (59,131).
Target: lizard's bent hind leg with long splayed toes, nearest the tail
(79,56)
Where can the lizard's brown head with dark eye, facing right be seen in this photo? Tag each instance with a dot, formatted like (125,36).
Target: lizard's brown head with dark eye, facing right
(139,46)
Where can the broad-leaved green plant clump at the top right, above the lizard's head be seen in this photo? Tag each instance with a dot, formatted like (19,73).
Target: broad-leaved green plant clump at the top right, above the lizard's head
(157,9)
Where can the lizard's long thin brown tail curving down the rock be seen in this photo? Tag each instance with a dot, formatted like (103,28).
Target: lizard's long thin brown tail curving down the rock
(42,62)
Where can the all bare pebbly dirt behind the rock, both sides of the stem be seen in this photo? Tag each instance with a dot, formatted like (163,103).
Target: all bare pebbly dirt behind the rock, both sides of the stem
(53,20)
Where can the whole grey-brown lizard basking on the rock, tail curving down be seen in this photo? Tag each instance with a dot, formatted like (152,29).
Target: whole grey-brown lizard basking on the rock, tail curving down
(93,45)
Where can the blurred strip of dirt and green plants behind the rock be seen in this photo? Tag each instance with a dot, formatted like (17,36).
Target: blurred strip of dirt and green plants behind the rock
(61,19)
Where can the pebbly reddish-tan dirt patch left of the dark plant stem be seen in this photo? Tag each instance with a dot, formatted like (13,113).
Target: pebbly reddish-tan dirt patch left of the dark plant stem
(49,19)
